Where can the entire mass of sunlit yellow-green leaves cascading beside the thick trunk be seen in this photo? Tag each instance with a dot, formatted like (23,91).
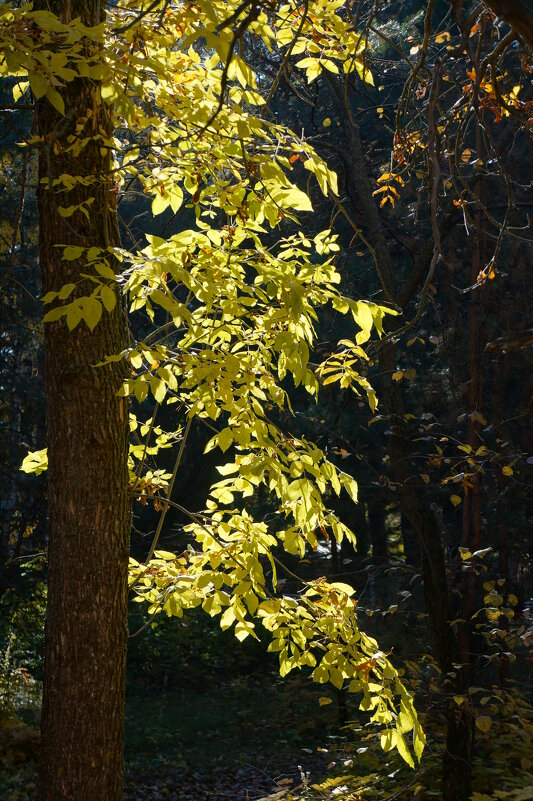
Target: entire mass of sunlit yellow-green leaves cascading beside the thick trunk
(240,300)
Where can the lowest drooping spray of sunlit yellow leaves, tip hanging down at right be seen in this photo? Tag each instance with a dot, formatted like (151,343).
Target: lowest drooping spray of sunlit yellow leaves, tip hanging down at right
(317,631)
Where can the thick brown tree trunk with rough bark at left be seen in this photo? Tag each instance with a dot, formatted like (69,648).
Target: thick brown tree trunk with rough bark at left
(89,508)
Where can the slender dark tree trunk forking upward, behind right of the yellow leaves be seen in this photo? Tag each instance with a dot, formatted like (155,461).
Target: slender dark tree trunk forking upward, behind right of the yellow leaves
(456,782)
